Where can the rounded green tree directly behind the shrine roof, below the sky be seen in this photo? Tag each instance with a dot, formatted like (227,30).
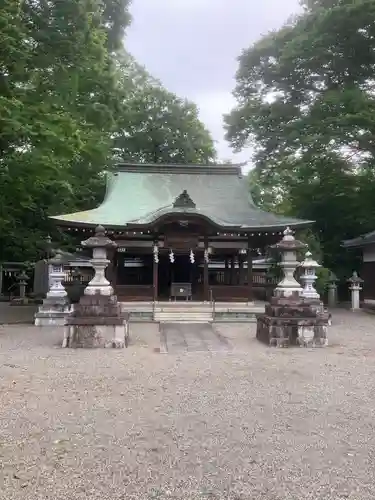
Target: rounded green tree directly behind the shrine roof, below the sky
(155,125)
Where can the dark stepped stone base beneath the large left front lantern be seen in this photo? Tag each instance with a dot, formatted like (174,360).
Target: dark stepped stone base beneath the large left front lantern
(97,321)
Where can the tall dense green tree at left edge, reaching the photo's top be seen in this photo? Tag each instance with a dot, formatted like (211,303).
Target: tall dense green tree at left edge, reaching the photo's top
(58,106)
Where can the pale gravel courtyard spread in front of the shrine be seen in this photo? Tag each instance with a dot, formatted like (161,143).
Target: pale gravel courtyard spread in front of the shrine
(252,423)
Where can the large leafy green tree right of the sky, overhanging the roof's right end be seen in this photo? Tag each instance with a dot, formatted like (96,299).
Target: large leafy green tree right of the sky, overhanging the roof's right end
(305,103)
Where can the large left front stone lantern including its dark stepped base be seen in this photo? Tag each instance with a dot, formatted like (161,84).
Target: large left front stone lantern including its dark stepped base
(97,320)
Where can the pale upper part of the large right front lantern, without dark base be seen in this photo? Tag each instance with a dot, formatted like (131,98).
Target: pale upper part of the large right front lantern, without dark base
(288,247)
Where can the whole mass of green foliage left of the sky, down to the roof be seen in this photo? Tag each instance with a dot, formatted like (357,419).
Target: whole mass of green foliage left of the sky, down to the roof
(67,95)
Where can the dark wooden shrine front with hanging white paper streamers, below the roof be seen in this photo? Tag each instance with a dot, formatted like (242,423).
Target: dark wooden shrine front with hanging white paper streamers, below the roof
(147,265)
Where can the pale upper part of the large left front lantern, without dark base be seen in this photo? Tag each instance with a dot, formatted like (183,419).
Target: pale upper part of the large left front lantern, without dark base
(99,244)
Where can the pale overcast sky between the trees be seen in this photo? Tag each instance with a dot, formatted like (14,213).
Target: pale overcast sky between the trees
(192,46)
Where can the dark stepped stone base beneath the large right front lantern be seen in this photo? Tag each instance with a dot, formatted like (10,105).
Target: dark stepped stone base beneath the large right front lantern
(292,321)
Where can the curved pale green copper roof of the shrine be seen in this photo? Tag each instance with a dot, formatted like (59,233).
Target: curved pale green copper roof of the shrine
(140,194)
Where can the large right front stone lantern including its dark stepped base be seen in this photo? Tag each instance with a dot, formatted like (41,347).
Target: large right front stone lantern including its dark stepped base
(290,317)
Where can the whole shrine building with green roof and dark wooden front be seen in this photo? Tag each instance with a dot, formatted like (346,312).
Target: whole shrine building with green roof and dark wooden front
(182,231)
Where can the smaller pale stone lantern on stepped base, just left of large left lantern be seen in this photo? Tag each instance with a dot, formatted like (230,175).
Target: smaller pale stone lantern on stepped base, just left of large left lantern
(55,307)
